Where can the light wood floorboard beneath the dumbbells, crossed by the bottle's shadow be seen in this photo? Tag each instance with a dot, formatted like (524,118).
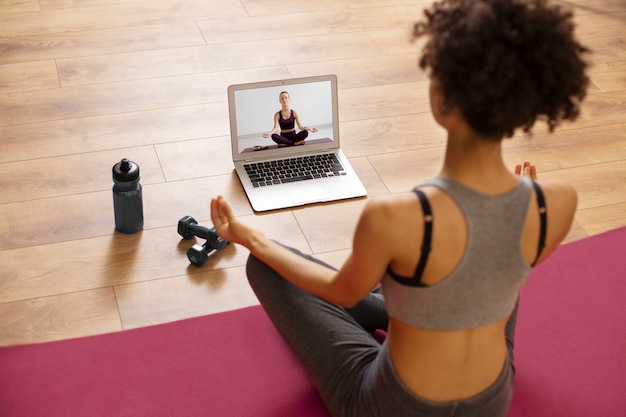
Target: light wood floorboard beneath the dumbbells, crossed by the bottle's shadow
(119,259)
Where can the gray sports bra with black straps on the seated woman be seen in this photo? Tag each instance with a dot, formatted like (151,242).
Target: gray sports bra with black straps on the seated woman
(485,285)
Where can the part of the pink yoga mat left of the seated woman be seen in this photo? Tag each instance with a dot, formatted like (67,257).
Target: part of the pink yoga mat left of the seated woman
(227,364)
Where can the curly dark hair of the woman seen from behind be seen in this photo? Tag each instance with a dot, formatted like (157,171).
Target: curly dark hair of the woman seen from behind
(505,63)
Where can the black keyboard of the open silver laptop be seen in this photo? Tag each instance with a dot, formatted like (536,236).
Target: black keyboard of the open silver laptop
(301,168)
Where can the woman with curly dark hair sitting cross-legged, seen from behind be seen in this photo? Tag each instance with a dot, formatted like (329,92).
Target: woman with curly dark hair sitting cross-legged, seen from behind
(452,254)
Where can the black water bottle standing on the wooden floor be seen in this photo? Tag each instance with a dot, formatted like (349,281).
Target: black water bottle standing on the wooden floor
(127,197)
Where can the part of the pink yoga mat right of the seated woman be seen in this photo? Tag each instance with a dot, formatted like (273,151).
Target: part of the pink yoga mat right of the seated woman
(570,350)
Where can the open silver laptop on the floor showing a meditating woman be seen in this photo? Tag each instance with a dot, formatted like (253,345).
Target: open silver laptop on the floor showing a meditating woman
(301,162)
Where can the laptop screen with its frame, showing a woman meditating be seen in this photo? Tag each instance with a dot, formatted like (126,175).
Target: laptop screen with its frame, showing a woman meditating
(269,118)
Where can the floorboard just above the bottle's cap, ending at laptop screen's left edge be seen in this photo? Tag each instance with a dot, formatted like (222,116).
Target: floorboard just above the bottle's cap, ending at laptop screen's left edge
(114,131)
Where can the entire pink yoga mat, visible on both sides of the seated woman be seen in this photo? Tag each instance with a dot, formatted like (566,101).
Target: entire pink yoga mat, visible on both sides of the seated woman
(570,357)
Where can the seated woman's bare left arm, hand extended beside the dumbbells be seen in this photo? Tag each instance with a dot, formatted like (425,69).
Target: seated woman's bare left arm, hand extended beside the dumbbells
(359,274)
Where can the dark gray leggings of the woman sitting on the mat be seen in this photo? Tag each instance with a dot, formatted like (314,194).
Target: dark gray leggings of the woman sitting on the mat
(352,371)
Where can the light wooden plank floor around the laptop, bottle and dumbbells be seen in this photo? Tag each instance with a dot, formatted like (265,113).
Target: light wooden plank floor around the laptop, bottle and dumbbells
(86,83)
